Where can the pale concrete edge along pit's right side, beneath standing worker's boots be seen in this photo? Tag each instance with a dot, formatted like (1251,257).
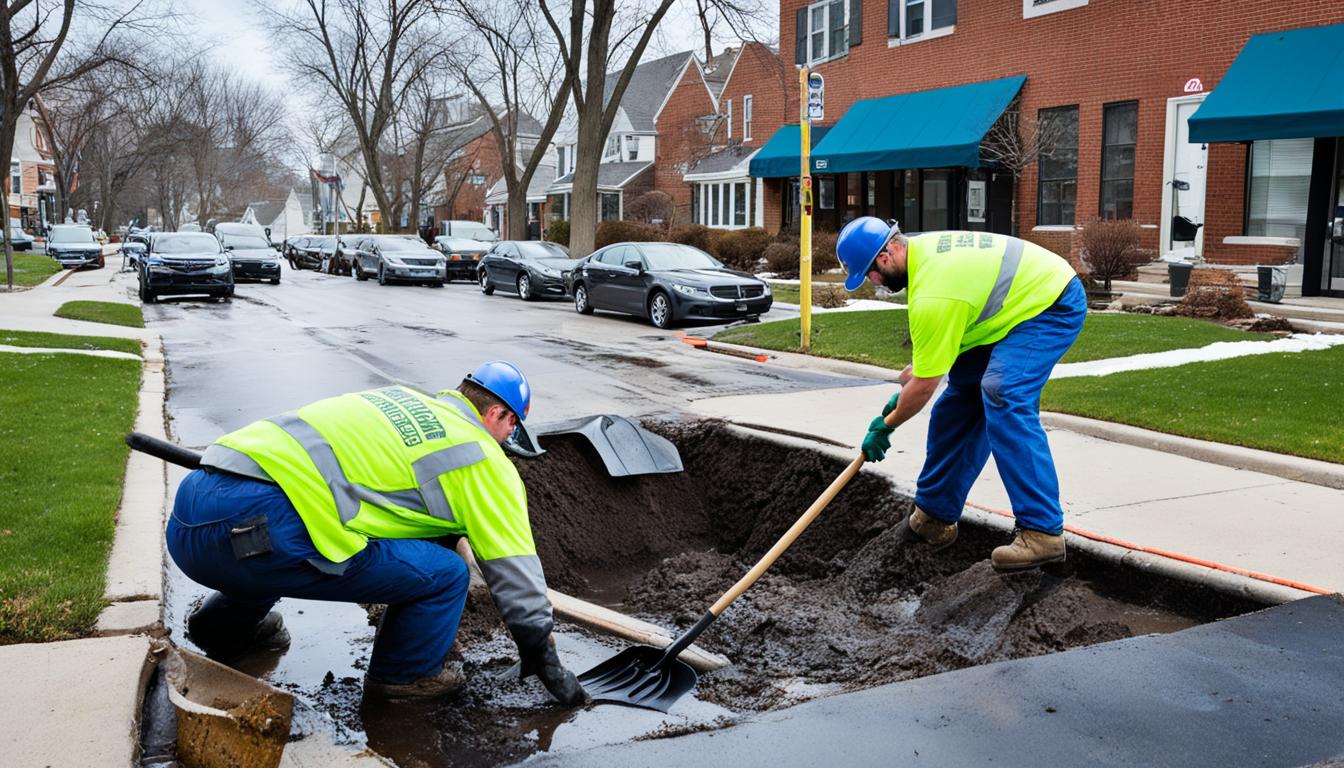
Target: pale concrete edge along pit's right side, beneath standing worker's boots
(1225,583)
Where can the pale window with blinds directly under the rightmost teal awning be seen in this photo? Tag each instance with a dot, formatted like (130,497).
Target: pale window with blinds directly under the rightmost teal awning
(1276,194)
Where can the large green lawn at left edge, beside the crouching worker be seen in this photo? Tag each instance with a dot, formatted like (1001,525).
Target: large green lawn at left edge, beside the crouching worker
(62,423)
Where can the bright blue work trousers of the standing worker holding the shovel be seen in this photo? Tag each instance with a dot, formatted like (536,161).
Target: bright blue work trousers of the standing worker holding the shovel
(993,404)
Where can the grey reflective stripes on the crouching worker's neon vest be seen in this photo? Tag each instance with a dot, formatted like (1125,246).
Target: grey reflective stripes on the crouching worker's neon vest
(429,498)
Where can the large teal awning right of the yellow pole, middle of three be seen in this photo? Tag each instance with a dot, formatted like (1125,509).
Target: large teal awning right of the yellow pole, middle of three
(925,130)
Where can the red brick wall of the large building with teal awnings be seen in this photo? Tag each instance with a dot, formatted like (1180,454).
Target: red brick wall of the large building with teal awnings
(1107,52)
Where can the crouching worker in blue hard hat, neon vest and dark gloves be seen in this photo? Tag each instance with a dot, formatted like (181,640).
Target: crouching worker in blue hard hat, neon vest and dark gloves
(338,501)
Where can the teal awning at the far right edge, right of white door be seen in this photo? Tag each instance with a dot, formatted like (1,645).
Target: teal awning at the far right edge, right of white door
(1283,85)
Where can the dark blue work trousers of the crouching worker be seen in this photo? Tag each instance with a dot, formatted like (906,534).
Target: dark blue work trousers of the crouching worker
(423,583)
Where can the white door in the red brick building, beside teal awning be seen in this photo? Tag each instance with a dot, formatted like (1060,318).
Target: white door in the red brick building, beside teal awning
(1183,184)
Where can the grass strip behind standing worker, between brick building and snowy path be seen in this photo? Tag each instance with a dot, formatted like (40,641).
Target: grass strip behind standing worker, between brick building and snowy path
(881,337)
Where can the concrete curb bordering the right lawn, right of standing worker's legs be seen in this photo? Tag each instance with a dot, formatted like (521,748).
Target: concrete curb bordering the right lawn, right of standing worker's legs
(1236,457)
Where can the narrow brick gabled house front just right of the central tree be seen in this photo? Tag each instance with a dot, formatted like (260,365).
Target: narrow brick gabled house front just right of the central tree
(682,139)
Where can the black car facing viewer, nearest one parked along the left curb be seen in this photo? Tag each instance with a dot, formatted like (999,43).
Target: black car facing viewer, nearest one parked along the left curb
(185,263)
